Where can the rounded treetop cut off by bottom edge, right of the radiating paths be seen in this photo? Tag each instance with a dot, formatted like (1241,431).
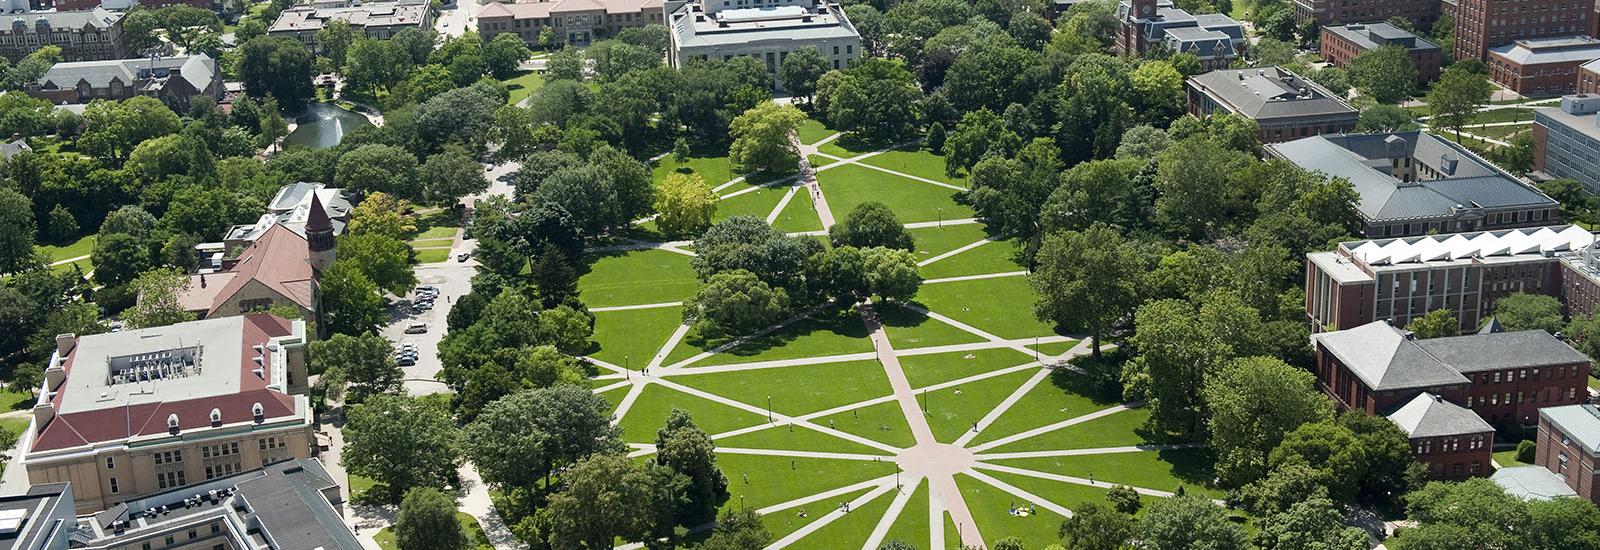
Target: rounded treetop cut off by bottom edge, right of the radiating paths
(1190,522)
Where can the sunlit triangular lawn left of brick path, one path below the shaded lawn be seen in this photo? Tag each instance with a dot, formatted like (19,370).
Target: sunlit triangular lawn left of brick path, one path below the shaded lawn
(798,391)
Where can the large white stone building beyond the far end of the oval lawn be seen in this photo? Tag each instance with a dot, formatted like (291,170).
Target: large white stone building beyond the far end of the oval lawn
(764,30)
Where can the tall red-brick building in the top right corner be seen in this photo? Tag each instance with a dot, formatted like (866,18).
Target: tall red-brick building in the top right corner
(1484,25)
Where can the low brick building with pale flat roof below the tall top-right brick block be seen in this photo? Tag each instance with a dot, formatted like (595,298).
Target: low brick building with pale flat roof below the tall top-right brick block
(1542,68)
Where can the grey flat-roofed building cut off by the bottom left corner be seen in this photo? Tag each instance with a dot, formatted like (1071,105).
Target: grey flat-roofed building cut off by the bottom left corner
(287,506)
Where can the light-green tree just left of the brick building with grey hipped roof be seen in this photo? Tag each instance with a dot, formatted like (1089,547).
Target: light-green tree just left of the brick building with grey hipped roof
(1246,428)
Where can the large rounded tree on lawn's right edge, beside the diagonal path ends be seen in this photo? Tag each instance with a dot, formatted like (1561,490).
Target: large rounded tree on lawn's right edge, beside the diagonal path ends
(1087,281)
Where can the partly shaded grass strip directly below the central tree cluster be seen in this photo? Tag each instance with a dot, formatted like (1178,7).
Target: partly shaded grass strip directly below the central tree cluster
(830,333)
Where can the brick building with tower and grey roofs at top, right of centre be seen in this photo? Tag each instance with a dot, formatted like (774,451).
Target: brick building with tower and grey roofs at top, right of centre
(1148,25)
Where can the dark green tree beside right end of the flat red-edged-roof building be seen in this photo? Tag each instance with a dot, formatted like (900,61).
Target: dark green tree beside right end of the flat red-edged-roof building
(364,362)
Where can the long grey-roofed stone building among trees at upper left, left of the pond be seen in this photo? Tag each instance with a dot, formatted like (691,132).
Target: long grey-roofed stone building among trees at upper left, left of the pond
(174,81)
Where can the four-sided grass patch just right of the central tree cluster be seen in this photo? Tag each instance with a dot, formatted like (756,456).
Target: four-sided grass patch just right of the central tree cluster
(1004,311)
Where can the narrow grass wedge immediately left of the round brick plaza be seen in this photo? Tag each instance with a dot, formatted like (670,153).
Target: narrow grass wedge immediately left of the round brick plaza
(780,479)
